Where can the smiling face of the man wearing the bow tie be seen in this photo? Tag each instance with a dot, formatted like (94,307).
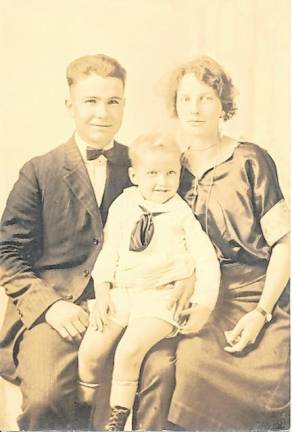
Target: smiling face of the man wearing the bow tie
(96,104)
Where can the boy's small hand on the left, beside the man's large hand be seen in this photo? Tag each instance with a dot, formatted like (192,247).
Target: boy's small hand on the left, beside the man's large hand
(102,307)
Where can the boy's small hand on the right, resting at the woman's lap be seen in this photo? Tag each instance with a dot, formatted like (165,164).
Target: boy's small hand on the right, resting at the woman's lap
(195,318)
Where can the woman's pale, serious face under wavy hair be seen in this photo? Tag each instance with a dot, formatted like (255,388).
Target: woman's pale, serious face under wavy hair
(198,107)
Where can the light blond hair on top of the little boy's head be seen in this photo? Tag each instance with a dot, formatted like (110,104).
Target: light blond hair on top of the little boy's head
(150,143)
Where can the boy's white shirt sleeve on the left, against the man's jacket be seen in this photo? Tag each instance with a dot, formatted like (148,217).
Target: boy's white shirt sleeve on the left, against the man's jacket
(107,260)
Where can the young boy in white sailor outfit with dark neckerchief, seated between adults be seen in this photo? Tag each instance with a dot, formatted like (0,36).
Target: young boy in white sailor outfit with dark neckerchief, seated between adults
(151,240)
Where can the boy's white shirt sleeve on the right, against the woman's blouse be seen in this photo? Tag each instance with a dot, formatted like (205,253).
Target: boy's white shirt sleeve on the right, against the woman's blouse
(207,268)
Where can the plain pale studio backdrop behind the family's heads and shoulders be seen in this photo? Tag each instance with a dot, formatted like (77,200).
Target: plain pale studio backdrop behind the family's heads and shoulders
(250,38)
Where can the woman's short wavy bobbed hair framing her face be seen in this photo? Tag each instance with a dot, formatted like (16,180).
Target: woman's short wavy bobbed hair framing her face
(211,73)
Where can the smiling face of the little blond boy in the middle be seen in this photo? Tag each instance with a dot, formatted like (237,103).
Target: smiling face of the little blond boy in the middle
(157,175)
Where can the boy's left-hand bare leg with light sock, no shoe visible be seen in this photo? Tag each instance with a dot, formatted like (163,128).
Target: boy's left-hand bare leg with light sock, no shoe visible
(94,357)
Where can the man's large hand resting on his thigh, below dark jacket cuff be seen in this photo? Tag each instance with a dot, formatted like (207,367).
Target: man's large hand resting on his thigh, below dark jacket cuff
(68,319)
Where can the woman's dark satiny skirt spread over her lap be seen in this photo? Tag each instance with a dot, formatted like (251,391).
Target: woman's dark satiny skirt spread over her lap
(216,389)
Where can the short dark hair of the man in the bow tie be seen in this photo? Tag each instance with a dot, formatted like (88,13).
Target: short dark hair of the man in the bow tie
(98,64)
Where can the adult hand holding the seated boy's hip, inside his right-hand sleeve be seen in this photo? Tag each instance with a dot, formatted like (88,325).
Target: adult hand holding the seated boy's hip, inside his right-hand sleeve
(182,292)
